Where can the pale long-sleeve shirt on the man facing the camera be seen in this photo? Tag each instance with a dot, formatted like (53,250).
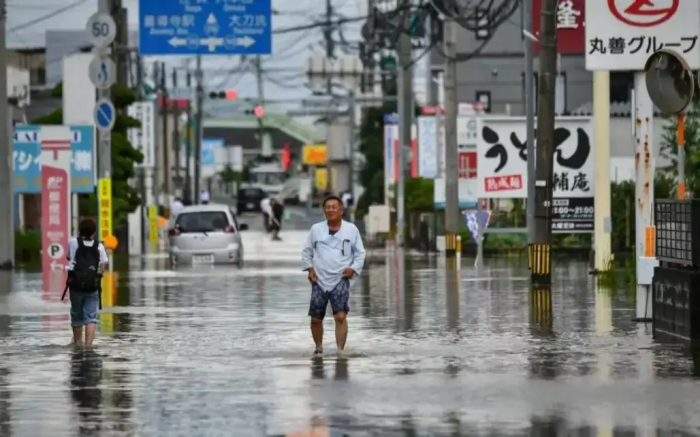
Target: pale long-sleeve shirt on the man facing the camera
(329,255)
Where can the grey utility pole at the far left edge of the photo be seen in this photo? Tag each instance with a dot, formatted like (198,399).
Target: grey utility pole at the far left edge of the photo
(7,229)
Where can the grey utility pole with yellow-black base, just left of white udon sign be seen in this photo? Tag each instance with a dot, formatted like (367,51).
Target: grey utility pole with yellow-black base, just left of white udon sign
(450,120)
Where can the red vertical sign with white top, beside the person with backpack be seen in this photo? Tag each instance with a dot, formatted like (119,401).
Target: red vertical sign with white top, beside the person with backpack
(55,160)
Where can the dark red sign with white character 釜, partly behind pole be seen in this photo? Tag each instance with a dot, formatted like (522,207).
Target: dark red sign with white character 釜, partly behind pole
(571,29)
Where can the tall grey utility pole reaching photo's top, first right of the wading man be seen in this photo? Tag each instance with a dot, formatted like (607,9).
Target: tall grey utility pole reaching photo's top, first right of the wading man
(405,109)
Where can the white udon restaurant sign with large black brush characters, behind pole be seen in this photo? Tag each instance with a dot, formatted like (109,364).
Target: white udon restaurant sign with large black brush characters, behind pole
(502,158)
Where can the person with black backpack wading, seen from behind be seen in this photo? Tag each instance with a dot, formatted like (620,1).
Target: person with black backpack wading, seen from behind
(88,260)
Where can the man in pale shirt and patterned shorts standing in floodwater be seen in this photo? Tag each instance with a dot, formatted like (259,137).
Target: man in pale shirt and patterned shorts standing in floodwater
(333,256)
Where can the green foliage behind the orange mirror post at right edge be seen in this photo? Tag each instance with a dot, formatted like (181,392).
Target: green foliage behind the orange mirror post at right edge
(669,150)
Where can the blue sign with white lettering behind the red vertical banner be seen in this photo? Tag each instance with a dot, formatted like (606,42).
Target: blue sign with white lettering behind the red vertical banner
(26,148)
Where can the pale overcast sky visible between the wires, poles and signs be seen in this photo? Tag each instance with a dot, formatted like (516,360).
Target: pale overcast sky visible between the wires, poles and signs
(290,51)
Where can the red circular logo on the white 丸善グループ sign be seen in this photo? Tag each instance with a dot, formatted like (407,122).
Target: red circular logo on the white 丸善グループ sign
(643,13)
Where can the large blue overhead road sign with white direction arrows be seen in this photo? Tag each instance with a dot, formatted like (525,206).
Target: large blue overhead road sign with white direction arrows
(205,27)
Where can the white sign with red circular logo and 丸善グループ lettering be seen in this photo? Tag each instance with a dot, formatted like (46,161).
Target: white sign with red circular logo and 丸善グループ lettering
(622,34)
